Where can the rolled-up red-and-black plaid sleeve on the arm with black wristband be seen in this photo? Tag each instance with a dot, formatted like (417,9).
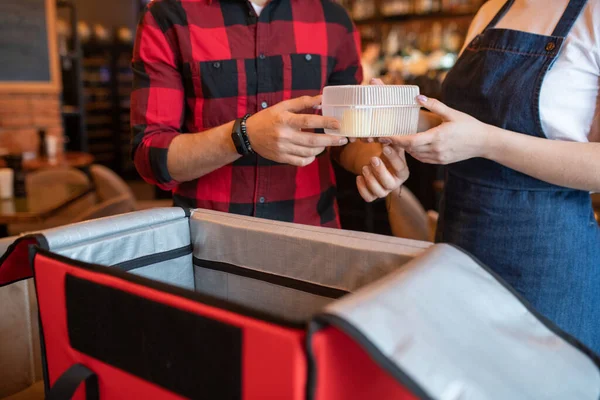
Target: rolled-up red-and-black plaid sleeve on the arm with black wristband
(157,99)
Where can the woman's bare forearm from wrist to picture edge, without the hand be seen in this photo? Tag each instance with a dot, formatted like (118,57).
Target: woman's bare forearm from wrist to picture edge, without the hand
(569,164)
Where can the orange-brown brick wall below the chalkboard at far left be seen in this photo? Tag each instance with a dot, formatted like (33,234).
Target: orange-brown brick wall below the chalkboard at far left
(22,114)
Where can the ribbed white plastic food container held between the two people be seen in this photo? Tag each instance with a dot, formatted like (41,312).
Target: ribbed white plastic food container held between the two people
(373,110)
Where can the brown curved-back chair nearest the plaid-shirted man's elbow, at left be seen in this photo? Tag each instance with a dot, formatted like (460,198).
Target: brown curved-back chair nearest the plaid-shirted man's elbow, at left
(110,185)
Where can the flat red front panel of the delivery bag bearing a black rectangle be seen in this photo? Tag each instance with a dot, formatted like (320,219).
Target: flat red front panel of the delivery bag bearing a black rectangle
(273,363)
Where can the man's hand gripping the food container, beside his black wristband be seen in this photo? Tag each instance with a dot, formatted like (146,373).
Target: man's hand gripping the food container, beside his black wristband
(275,133)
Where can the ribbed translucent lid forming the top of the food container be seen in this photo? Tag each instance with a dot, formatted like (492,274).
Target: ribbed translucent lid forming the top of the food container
(370,95)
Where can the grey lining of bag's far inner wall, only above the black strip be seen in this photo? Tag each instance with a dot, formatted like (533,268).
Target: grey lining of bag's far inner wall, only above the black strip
(329,257)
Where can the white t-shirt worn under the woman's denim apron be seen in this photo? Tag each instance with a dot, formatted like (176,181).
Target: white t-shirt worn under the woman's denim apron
(570,94)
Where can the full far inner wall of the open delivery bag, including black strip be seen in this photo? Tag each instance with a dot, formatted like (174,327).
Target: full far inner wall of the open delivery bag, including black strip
(287,270)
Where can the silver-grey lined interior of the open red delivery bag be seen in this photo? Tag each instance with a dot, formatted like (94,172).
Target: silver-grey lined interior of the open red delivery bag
(288,273)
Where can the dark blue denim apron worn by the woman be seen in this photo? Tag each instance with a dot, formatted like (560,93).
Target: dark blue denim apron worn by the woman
(541,238)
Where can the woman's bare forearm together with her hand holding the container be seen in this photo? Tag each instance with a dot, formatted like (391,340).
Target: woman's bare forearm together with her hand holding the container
(461,137)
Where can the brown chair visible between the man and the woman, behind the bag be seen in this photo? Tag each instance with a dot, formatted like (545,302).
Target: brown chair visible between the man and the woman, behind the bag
(408,219)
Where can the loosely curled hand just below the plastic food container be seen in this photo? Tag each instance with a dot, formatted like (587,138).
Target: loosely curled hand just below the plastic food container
(383,175)
